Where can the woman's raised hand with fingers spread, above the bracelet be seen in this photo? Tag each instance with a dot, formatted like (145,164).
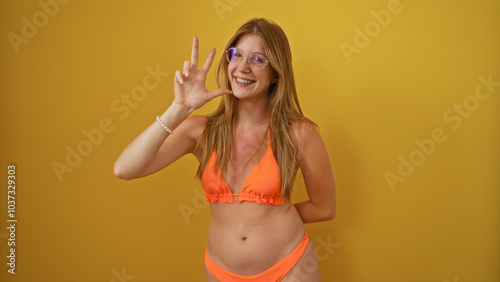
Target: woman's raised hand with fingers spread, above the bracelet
(190,90)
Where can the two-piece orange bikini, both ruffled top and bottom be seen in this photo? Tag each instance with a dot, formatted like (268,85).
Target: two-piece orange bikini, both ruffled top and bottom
(262,186)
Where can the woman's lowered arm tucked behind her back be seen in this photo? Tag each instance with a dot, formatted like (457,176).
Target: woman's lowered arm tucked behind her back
(318,177)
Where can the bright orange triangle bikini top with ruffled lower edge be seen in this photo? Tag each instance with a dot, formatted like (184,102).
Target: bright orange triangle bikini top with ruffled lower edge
(262,186)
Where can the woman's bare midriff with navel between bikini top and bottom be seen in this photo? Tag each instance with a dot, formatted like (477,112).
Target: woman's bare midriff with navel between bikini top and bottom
(248,238)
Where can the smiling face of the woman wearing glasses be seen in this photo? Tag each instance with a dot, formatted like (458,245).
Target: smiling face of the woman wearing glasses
(246,82)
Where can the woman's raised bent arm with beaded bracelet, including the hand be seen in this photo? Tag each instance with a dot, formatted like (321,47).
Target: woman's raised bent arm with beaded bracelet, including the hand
(155,149)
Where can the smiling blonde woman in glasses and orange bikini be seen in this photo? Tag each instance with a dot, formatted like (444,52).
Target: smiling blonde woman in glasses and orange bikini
(249,151)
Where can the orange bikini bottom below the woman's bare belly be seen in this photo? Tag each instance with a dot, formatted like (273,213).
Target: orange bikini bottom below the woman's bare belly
(275,273)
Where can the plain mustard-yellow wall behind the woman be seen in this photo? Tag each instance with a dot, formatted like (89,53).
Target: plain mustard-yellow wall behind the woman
(440,224)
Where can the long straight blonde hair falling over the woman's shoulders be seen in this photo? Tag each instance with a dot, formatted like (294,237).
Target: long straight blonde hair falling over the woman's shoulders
(282,105)
